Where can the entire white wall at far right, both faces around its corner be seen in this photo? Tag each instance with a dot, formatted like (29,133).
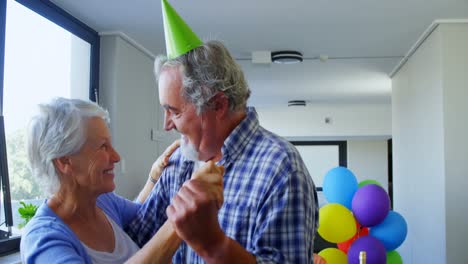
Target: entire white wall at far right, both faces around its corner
(429,145)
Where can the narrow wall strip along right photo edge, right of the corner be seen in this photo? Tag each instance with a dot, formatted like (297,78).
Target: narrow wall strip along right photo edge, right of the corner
(455,94)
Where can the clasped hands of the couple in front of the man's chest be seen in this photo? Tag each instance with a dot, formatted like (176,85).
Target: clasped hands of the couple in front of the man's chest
(194,209)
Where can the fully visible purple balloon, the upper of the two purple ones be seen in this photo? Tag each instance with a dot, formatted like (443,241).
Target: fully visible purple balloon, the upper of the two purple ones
(370,205)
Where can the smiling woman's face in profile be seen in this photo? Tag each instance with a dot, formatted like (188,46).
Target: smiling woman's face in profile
(93,165)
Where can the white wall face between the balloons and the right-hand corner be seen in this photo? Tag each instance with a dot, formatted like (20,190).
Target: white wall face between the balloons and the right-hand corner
(418,171)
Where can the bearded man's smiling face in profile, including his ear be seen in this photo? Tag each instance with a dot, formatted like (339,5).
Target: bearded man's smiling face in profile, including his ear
(181,115)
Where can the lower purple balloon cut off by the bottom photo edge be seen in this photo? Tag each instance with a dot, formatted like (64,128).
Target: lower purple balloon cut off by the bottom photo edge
(375,251)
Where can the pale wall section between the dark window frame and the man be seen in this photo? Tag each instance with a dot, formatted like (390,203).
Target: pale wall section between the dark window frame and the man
(127,90)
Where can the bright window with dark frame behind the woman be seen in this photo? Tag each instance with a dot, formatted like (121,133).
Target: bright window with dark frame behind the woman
(47,53)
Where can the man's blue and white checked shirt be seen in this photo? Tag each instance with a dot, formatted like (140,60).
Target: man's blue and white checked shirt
(270,204)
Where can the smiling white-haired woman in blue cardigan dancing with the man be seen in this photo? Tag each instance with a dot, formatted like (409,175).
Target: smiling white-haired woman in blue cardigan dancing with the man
(83,221)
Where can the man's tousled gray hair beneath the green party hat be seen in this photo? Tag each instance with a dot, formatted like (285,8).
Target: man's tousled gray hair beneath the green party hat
(207,70)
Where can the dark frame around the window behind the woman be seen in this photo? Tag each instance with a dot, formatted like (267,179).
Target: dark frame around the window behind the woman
(56,15)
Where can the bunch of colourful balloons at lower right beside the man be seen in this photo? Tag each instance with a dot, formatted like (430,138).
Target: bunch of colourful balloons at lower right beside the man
(358,218)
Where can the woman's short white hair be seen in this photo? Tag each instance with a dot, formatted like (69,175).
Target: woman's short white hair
(58,130)
